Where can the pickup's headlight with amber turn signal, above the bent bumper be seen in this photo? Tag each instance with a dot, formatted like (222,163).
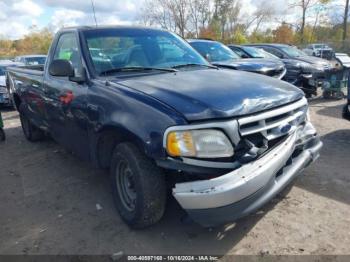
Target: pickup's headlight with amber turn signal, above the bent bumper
(206,143)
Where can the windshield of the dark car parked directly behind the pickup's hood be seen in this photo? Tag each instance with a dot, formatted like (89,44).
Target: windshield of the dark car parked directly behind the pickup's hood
(214,51)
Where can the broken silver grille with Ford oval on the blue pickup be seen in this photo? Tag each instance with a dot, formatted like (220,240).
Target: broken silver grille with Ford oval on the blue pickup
(275,123)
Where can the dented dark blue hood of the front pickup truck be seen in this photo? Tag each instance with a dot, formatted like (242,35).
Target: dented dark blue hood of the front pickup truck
(214,94)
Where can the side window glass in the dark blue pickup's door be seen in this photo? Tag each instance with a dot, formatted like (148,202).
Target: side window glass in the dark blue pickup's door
(68,49)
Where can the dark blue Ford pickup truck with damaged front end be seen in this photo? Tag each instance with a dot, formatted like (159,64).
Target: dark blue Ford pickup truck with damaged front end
(143,103)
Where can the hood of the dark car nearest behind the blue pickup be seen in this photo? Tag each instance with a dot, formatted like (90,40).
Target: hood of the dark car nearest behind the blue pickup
(252,65)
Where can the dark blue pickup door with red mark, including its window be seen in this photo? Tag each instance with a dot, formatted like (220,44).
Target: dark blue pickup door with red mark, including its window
(66,101)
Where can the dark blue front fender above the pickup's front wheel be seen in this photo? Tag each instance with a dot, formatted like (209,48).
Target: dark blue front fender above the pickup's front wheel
(135,114)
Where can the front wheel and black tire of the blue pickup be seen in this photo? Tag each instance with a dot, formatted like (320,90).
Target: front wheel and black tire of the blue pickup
(140,203)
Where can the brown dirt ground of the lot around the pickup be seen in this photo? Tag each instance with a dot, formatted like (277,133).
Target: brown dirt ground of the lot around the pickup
(48,205)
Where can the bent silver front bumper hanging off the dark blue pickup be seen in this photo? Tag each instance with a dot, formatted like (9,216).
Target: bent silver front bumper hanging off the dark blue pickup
(245,190)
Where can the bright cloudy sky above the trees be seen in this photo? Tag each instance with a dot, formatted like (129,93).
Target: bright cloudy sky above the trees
(17,16)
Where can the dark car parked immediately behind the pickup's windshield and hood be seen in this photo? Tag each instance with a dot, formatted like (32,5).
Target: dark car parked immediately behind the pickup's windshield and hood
(220,55)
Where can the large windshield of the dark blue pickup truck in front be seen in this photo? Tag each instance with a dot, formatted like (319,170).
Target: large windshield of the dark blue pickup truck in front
(112,49)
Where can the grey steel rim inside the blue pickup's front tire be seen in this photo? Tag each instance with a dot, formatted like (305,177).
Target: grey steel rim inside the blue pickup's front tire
(126,185)
